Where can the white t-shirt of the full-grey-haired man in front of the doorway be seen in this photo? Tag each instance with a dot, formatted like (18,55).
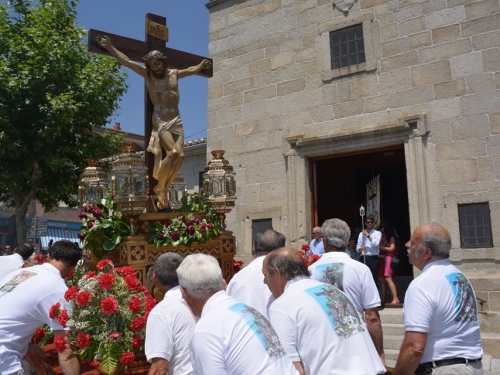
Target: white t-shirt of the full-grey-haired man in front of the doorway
(350,276)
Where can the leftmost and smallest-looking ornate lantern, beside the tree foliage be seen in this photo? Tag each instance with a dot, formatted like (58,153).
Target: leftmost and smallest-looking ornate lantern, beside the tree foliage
(94,183)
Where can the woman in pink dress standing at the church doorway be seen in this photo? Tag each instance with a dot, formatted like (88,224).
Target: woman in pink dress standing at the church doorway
(388,248)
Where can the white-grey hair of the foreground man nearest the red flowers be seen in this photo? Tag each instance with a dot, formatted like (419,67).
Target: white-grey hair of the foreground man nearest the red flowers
(200,274)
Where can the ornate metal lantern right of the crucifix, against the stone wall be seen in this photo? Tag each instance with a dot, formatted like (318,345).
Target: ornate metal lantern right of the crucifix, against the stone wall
(219,186)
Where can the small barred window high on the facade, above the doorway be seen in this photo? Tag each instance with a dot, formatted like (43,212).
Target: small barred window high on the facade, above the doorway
(347,46)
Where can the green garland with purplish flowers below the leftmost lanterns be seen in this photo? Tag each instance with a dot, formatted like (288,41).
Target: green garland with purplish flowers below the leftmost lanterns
(103,226)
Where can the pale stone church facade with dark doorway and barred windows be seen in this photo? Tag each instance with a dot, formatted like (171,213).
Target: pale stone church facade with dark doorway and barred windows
(429,83)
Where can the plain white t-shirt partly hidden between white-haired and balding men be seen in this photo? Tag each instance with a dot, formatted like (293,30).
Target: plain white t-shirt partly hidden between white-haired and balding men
(248,287)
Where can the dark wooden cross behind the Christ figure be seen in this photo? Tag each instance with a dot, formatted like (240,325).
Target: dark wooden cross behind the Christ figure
(156,36)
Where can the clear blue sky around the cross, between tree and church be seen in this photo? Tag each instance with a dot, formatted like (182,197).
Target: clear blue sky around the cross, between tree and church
(187,22)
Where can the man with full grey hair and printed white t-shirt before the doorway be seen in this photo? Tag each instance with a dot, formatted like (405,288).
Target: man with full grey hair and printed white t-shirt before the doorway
(352,277)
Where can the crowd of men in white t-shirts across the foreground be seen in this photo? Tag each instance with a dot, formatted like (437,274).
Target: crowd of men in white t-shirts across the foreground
(276,316)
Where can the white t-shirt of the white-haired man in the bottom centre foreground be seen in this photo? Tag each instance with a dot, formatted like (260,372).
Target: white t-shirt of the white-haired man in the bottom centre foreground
(234,338)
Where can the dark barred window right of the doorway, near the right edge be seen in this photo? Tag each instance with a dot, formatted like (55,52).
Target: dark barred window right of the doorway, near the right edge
(475,225)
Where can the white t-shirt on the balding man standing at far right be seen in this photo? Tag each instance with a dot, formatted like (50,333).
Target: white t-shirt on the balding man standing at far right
(442,303)
